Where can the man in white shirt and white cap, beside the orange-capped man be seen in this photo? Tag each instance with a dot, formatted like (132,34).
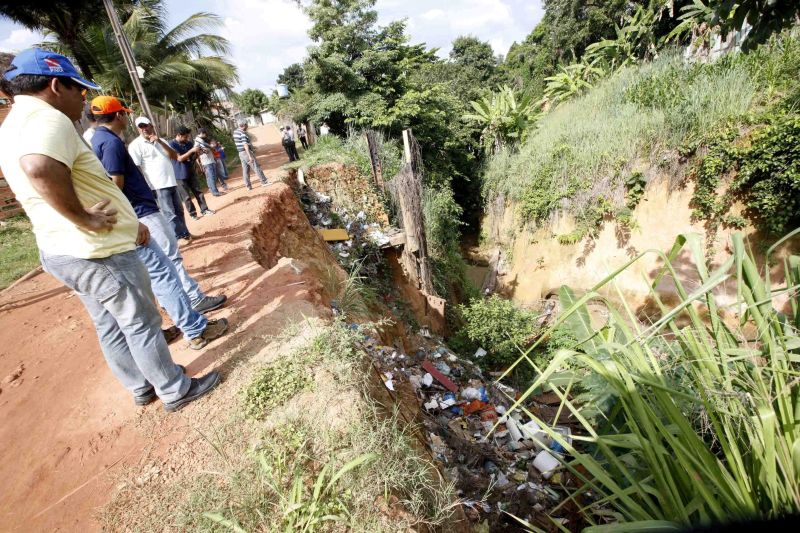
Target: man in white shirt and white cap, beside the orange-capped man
(152,155)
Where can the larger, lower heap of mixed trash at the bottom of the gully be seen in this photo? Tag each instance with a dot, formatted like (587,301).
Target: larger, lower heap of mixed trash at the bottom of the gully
(500,462)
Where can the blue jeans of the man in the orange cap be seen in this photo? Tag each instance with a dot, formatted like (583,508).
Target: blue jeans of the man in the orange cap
(168,290)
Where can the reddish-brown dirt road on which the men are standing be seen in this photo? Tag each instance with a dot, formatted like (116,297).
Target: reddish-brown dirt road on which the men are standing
(66,425)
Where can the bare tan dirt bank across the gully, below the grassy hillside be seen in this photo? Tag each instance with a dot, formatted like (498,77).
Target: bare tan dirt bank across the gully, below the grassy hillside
(535,263)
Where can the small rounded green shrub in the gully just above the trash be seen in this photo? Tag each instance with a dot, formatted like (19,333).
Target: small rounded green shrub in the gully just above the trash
(498,326)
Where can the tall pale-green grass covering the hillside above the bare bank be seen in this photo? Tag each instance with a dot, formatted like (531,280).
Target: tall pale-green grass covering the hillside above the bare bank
(581,151)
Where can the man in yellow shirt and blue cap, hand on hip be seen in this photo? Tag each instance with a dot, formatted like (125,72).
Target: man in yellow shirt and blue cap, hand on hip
(85,228)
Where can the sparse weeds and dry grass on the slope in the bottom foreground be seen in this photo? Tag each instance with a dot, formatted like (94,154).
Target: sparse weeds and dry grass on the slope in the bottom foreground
(325,461)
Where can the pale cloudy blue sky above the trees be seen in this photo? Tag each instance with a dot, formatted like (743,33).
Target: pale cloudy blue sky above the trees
(268,35)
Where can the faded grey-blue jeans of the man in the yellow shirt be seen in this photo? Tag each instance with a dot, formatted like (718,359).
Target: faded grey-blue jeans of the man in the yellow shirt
(116,292)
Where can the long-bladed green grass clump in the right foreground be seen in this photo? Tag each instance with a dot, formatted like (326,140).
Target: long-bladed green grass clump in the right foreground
(705,419)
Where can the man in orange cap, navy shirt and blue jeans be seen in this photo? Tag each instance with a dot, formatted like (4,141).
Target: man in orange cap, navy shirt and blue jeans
(112,120)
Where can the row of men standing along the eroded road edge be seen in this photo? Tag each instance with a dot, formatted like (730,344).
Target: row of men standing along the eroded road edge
(107,218)
